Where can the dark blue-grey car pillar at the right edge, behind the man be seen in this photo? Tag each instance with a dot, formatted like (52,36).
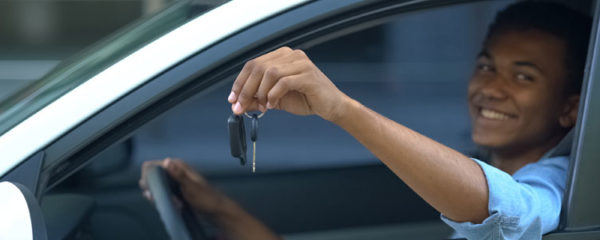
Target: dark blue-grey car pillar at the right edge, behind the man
(580,208)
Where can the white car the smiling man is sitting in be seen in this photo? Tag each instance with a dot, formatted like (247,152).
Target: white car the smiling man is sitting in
(76,138)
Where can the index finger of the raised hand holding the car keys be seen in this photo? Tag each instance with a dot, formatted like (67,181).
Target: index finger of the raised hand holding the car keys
(247,70)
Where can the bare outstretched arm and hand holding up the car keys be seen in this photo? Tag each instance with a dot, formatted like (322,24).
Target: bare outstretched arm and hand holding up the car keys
(286,79)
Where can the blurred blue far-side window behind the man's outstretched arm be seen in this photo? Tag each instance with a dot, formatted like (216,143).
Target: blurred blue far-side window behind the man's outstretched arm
(413,69)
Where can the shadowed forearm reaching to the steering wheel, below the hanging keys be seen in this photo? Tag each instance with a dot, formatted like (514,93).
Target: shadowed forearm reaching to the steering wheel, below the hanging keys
(237,224)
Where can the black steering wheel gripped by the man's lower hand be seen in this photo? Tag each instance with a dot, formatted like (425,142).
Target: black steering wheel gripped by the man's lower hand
(180,223)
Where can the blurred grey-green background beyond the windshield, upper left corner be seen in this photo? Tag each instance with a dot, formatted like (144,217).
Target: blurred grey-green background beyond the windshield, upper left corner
(36,35)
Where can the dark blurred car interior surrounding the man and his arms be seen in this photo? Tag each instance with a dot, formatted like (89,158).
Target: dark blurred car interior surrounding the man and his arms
(313,180)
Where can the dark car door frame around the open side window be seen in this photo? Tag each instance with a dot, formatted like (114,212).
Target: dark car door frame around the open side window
(201,73)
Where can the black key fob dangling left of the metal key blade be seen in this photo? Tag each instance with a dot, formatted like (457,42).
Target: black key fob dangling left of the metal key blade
(237,137)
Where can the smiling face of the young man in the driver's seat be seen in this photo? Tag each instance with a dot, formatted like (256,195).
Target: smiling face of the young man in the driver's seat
(516,96)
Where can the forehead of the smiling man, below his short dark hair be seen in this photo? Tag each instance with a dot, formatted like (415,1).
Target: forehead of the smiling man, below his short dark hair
(545,50)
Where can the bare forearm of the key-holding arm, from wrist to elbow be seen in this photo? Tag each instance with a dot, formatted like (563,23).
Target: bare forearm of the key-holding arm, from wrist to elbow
(449,181)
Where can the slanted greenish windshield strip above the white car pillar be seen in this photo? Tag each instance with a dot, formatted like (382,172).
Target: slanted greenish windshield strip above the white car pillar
(78,69)
